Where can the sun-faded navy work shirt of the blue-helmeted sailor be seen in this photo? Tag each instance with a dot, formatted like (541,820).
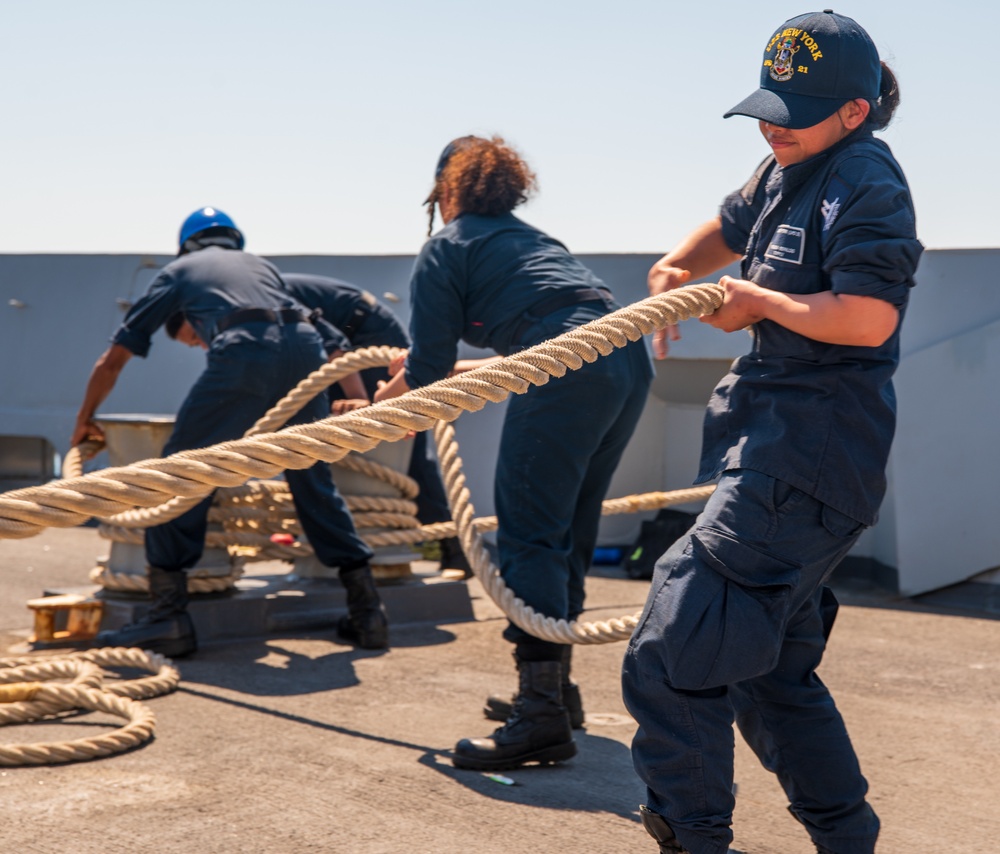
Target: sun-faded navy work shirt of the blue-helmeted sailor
(206,286)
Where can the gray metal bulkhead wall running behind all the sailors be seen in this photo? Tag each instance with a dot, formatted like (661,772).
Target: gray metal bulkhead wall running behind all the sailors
(57,313)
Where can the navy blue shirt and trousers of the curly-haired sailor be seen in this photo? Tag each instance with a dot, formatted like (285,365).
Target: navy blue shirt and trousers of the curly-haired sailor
(497,282)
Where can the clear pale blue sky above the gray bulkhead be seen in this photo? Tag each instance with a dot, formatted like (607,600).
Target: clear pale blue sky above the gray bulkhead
(316,125)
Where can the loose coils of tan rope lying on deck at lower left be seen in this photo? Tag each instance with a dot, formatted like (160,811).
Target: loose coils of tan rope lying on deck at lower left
(25,697)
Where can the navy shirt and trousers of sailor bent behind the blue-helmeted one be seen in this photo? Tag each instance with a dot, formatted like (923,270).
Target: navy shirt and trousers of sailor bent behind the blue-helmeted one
(367,323)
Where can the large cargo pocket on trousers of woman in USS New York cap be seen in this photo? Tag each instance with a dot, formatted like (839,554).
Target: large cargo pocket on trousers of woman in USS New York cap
(738,629)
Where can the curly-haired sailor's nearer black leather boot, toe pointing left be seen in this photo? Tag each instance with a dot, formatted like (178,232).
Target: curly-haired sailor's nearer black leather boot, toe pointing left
(538,729)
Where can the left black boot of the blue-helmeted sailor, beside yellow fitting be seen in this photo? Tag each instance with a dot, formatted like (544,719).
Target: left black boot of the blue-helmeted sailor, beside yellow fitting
(166,627)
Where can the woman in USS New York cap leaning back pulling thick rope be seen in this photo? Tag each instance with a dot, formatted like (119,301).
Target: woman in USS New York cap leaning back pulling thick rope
(797,436)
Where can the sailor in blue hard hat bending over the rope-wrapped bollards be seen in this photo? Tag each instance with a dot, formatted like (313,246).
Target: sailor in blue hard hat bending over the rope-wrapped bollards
(261,343)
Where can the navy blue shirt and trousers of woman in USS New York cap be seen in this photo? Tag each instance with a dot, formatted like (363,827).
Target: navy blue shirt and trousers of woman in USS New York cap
(798,433)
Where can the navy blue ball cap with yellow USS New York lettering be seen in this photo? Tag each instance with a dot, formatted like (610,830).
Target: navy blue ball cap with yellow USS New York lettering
(813,65)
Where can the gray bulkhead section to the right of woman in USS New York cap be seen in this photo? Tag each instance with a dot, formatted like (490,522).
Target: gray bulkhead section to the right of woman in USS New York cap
(940,523)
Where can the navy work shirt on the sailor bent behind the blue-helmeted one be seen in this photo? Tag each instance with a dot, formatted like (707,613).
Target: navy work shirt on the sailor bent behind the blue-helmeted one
(350,309)
